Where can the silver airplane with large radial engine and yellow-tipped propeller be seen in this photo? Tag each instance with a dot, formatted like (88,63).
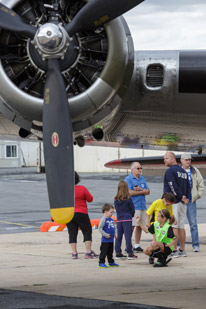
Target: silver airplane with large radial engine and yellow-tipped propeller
(69,75)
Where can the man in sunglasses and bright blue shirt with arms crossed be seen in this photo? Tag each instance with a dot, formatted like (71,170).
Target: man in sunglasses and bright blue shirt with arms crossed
(138,188)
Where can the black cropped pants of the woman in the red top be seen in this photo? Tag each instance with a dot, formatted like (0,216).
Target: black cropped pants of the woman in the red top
(81,221)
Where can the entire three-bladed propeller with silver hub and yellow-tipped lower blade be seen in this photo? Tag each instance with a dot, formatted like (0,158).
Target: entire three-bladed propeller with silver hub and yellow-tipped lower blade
(52,40)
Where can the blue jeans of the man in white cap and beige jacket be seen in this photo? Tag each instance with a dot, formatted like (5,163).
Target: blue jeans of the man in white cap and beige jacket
(192,219)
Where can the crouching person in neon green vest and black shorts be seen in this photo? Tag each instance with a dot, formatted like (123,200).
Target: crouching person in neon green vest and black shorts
(163,243)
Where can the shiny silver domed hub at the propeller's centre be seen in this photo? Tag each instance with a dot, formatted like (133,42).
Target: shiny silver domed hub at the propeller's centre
(51,41)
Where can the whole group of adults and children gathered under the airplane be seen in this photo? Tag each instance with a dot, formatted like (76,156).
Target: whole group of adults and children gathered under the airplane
(164,219)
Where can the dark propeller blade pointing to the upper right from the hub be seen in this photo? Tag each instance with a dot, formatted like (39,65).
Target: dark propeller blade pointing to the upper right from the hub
(98,12)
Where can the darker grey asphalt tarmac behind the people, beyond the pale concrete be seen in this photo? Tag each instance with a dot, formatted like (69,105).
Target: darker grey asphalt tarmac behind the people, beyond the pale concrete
(24,201)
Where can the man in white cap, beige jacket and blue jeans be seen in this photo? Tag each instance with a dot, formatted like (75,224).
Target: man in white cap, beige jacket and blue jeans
(197,188)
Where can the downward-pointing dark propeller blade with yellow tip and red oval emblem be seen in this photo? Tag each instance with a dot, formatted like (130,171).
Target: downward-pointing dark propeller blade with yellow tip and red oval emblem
(58,145)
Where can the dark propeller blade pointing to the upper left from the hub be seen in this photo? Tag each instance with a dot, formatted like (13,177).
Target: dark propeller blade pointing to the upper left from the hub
(11,21)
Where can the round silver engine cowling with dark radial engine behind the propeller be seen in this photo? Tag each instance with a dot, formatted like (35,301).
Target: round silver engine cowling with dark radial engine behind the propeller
(97,69)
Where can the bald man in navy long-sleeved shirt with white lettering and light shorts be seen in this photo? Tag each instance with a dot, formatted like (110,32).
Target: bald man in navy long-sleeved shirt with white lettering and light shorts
(176,181)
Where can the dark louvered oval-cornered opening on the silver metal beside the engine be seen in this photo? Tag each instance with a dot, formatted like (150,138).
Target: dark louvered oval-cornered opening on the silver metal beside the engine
(155,75)
